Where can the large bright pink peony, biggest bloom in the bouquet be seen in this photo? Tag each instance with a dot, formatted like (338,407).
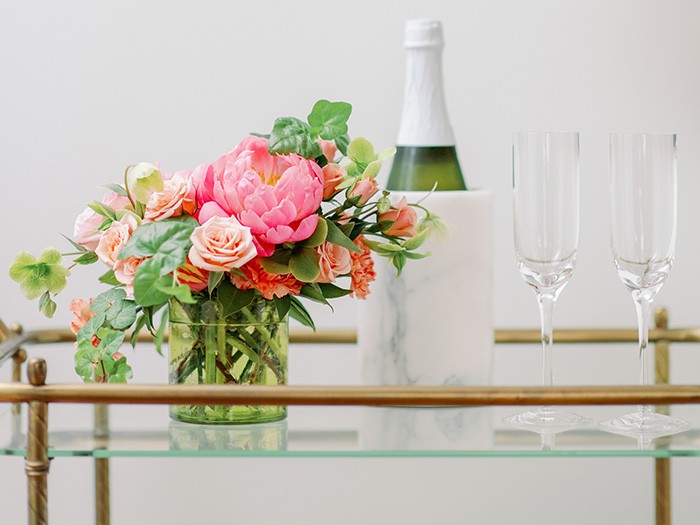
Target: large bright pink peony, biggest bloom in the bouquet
(275,196)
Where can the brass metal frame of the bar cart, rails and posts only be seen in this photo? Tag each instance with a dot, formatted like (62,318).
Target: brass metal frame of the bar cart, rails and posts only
(38,395)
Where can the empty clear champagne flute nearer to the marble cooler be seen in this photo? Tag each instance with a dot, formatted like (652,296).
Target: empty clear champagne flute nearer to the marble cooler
(546,224)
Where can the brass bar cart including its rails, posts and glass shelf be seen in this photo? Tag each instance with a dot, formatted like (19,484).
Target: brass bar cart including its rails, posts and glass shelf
(40,445)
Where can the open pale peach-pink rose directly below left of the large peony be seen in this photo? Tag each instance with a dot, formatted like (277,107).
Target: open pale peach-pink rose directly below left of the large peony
(221,244)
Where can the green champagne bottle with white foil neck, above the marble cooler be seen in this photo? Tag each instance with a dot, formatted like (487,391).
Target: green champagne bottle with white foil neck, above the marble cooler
(425,154)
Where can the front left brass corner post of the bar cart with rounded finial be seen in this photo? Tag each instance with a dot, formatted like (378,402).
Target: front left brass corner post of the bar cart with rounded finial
(37,460)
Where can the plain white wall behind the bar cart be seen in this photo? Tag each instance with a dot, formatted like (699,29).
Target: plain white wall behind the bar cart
(87,88)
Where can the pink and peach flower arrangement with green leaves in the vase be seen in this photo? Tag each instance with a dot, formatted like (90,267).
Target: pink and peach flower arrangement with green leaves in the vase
(289,215)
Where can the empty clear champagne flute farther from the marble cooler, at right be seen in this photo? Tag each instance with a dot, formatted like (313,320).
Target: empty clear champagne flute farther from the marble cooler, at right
(643,236)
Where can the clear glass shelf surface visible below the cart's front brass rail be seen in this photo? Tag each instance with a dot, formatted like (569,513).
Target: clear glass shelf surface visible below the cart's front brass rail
(338,432)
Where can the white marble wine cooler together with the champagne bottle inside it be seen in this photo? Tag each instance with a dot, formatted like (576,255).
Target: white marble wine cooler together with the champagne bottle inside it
(434,324)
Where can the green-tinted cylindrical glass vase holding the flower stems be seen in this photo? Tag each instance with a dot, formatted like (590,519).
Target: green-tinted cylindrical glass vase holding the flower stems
(211,346)
